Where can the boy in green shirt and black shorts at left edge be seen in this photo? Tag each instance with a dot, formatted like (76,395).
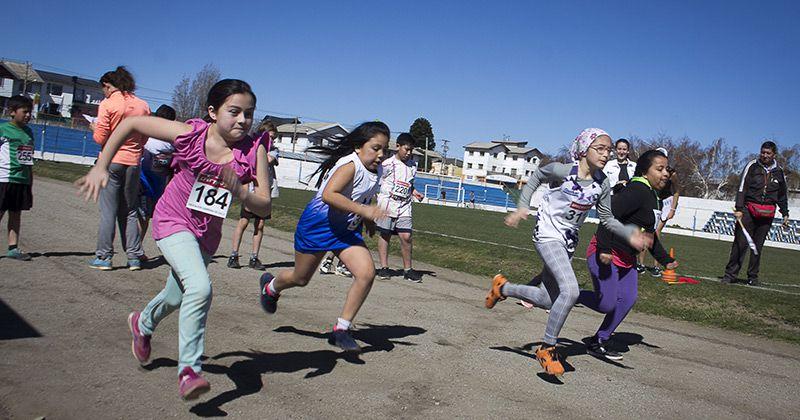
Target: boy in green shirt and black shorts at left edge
(16,170)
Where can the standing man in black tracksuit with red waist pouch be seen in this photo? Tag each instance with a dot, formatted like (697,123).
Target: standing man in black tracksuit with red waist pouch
(761,188)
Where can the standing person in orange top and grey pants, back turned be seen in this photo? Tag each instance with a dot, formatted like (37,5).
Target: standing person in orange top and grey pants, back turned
(118,200)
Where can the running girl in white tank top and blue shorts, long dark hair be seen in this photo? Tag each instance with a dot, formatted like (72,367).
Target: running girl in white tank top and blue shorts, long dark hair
(332,220)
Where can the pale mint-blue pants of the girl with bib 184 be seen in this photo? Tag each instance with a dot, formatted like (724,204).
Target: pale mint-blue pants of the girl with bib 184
(188,288)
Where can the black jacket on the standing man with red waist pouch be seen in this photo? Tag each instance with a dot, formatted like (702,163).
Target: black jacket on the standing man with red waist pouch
(763,186)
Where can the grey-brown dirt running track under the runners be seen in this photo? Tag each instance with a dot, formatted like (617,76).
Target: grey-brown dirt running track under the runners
(431,350)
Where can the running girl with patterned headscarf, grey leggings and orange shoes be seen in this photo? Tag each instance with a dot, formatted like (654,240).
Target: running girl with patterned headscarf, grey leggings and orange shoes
(574,190)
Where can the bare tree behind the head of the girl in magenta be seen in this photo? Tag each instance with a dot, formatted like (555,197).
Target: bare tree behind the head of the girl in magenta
(189,95)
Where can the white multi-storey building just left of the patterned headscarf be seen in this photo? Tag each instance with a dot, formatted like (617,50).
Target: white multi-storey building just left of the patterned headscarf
(499,160)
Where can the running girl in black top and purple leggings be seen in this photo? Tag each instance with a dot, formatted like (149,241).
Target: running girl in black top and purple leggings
(611,261)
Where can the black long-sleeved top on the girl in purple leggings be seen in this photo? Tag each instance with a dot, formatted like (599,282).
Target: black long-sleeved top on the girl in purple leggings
(636,204)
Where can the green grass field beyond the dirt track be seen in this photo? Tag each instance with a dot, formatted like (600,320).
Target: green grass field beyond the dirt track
(759,312)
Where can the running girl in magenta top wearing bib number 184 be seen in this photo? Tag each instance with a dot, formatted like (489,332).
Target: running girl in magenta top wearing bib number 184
(212,159)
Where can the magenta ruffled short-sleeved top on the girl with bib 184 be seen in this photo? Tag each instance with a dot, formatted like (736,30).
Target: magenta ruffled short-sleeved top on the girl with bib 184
(189,160)
